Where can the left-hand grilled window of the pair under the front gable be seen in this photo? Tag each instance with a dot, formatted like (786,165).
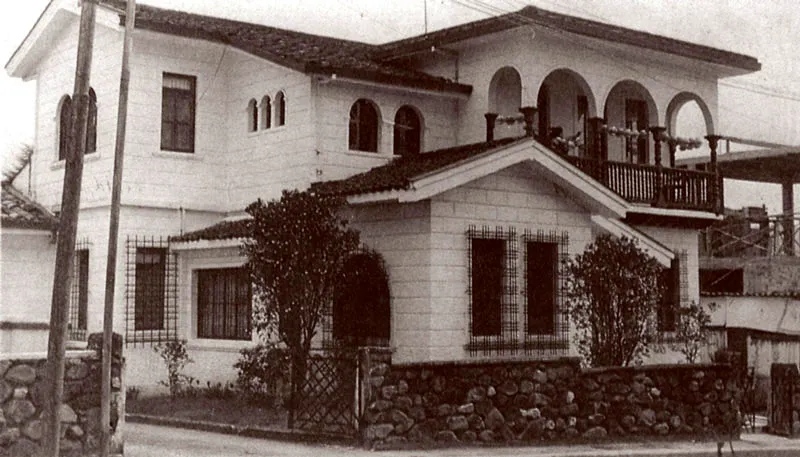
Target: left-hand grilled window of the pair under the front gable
(492,291)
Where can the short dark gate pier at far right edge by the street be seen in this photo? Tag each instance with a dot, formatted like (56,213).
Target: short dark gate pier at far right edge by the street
(785,386)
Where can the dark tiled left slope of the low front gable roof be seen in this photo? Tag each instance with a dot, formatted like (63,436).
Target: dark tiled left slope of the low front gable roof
(400,173)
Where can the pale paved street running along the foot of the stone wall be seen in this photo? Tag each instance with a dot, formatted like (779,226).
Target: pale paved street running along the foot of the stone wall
(158,441)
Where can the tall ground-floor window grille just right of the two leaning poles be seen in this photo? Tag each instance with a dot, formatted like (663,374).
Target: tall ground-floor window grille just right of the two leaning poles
(151,291)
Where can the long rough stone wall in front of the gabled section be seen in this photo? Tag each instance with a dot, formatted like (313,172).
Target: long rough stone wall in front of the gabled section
(527,402)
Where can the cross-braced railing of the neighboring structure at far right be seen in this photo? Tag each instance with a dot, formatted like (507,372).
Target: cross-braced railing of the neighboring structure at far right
(752,237)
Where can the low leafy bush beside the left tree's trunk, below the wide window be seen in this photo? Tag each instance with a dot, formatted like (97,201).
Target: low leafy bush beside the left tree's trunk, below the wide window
(263,373)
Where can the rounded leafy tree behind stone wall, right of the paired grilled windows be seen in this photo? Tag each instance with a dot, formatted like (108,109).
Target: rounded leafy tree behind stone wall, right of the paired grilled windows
(612,292)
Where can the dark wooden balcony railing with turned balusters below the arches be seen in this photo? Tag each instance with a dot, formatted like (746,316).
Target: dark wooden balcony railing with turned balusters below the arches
(657,186)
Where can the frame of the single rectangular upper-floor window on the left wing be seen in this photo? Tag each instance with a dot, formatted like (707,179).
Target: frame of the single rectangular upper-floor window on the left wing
(176,96)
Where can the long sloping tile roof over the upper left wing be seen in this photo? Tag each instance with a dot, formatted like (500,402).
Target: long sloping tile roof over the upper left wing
(307,53)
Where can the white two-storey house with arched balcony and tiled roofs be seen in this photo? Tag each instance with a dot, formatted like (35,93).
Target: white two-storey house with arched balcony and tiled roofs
(224,112)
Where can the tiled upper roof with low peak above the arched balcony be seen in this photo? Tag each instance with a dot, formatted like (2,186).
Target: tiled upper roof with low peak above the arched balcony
(531,15)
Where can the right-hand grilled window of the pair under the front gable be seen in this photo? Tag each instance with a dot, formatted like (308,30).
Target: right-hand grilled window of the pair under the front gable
(546,319)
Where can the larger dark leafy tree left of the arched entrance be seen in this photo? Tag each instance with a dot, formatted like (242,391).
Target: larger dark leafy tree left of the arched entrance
(297,247)
